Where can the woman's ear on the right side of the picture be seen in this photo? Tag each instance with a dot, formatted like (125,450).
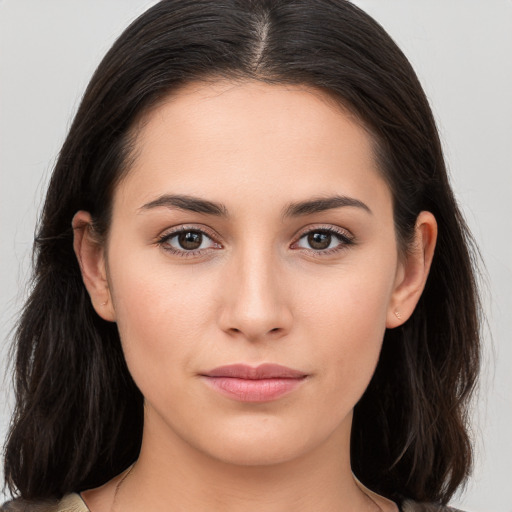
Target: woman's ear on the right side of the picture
(413,271)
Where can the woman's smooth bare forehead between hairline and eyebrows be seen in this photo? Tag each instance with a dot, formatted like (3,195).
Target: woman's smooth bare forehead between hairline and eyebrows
(223,137)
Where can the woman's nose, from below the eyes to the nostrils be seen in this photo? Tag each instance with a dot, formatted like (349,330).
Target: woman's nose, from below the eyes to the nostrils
(255,300)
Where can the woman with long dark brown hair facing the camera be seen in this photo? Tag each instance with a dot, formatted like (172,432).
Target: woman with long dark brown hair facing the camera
(253,287)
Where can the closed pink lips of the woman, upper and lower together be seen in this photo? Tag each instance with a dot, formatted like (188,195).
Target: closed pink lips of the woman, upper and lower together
(247,384)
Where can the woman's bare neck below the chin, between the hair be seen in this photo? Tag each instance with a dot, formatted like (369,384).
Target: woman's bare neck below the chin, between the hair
(171,471)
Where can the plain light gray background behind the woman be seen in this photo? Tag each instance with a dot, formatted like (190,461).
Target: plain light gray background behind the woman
(462,52)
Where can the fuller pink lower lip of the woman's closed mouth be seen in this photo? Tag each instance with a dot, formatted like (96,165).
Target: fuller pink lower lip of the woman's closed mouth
(253,390)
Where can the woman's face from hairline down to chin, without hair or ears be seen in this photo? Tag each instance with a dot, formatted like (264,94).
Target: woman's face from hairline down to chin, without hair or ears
(292,261)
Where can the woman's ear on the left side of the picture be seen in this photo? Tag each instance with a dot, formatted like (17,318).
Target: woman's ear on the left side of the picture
(91,258)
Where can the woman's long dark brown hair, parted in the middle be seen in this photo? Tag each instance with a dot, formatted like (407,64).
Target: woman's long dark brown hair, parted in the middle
(78,417)
